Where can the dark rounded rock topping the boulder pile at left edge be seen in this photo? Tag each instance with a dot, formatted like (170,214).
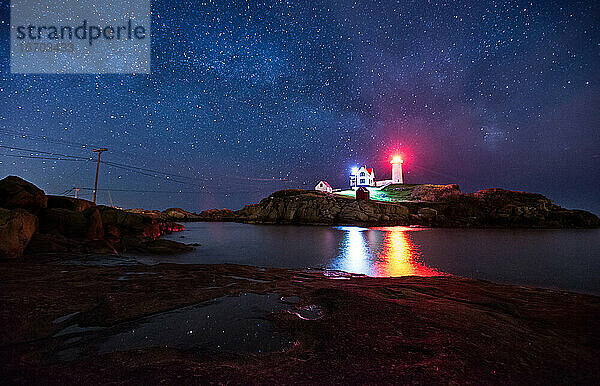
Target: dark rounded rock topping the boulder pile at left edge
(18,193)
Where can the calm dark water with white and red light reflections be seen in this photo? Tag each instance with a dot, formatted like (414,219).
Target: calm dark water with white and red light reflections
(565,259)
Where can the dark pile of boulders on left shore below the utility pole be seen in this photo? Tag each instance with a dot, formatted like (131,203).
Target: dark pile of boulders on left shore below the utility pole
(32,222)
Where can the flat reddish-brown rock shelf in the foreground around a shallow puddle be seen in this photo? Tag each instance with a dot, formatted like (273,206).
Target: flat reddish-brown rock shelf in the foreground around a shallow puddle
(367,330)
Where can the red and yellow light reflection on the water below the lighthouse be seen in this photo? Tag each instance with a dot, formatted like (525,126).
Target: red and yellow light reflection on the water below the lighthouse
(400,256)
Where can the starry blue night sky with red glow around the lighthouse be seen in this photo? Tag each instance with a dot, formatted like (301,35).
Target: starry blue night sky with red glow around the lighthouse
(479,93)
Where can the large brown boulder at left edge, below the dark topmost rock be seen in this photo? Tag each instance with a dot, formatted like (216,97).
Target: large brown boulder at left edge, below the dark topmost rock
(17,226)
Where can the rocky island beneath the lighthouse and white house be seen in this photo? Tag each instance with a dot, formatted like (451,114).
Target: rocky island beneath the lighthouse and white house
(432,205)
